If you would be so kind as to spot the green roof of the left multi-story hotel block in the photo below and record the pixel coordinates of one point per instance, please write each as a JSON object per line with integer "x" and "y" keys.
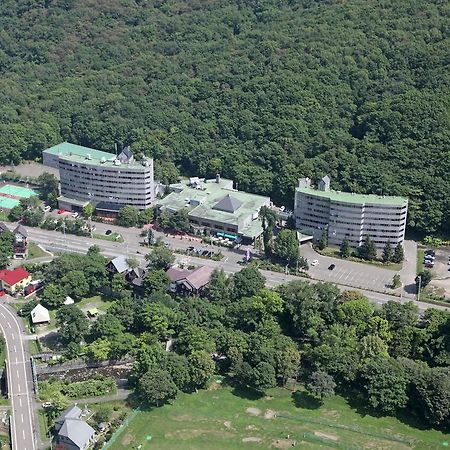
{"x": 78, "y": 153}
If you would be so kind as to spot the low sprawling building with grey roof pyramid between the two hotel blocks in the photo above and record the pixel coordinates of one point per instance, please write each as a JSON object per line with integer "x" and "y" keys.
{"x": 214, "y": 204}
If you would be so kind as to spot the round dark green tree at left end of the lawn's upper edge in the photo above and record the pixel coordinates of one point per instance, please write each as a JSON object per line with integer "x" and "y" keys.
{"x": 156, "y": 387}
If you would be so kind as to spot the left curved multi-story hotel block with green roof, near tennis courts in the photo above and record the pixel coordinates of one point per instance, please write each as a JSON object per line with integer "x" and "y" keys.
{"x": 103, "y": 179}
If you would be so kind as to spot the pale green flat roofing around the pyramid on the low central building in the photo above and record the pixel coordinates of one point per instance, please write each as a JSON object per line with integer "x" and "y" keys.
{"x": 246, "y": 204}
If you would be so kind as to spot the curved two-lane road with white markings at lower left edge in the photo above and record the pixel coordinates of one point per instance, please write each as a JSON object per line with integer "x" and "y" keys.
{"x": 20, "y": 383}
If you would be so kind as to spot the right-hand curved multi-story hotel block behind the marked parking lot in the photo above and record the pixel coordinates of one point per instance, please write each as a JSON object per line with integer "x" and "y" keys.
{"x": 344, "y": 215}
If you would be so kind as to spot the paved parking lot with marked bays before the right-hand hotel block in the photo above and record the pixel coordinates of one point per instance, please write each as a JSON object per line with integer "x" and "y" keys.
{"x": 349, "y": 273}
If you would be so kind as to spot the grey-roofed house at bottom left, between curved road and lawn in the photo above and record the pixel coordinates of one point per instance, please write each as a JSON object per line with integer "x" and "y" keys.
{"x": 72, "y": 433}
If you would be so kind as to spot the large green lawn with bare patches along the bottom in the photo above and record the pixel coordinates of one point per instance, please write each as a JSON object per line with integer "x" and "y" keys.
{"x": 227, "y": 419}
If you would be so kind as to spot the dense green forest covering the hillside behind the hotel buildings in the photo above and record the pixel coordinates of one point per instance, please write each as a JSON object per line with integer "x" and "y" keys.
{"x": 263, "y": 91}
